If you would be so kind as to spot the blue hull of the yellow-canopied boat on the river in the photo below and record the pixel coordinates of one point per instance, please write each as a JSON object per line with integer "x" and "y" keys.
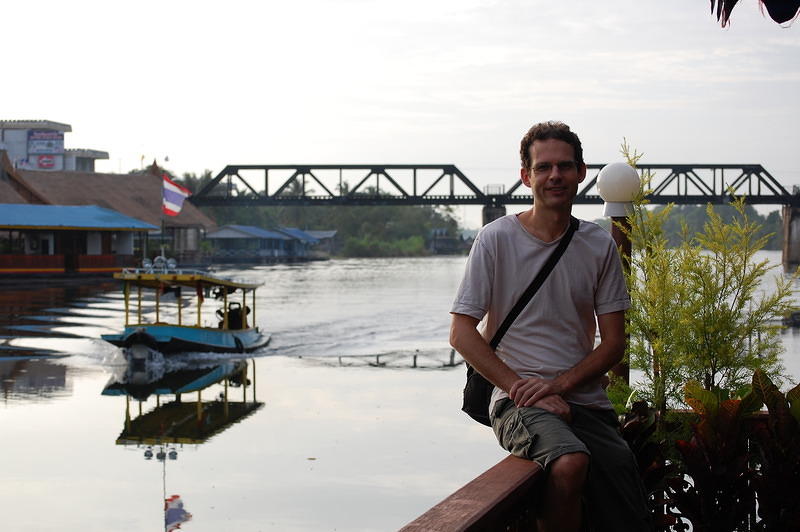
{"x": 170, "y": 339}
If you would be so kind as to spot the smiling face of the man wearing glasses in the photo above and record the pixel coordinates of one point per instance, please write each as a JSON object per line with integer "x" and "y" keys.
{"x": 554, "y": 175}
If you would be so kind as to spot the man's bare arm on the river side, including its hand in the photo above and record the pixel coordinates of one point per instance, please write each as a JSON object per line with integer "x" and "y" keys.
{"x": 465, "y": 338}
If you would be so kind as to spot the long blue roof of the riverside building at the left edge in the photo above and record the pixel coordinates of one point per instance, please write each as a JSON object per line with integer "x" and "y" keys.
{"x": 67, "y": 216}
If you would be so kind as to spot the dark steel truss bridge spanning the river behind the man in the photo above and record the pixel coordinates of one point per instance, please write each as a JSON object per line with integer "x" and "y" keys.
{"x": 445, "y": 184}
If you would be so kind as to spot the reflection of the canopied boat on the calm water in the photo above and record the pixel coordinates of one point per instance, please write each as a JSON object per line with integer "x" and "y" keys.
{"x": 182, "y": 421}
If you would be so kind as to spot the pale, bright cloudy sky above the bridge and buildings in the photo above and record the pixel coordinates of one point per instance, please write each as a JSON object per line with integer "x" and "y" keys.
{"x": 206, "y": 84}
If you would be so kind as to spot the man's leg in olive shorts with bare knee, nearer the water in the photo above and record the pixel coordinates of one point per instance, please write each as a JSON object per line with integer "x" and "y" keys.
{"x": 541, "y": 436}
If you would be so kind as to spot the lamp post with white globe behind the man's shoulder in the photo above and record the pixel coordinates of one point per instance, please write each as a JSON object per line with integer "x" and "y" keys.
{"x": 618, "y": 183}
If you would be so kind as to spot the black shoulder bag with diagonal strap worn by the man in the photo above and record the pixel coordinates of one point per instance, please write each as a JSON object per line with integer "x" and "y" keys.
{"x": 478, "y": 390}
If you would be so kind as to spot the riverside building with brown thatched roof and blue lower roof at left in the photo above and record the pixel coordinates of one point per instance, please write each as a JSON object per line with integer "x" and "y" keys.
{"x": 136, "y": 196}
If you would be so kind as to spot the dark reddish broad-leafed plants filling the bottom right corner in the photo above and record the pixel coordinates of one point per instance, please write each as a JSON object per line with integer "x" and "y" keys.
{"x": 740, "y": 470}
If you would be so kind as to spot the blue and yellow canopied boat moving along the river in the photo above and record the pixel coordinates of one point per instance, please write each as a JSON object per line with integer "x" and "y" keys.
{"x": 235, "y": 331}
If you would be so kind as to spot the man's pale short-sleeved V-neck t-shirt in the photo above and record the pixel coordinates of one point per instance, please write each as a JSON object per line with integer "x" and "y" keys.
{"x": 557, "y": 328}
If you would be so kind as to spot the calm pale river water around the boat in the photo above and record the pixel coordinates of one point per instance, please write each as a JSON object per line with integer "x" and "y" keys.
{"x": 349, "y": 420}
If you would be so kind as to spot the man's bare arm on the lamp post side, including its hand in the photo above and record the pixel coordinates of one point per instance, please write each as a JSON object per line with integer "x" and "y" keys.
{"x": 606, "y": 355}
